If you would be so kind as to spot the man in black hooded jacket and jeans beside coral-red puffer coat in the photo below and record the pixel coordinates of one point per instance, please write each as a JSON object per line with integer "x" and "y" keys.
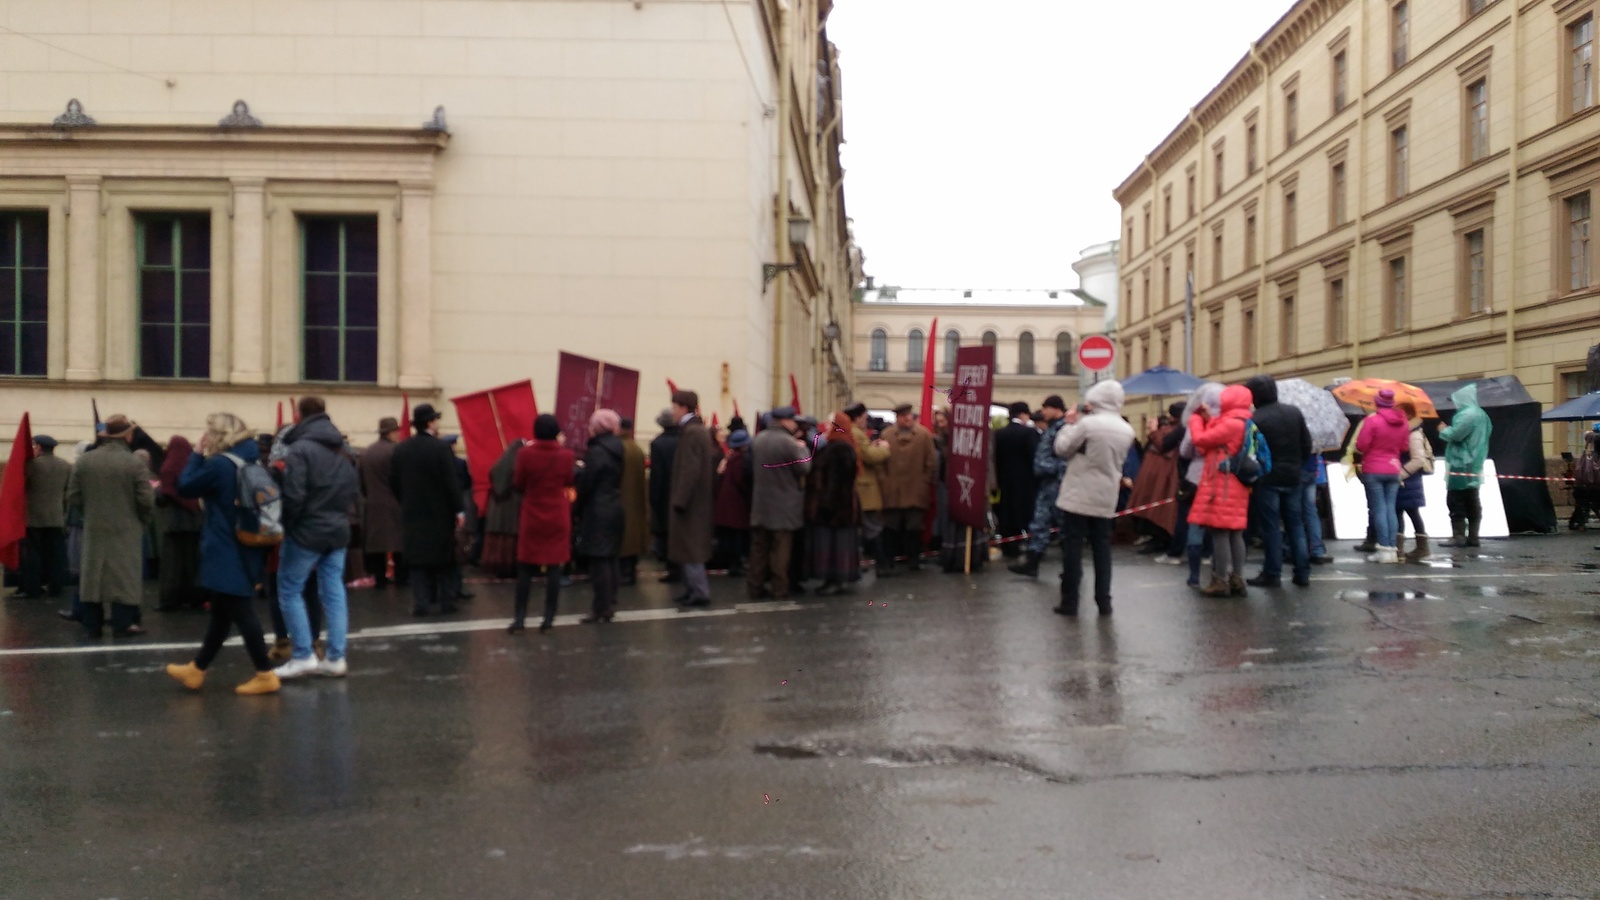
{"x": 1278, "y": 496}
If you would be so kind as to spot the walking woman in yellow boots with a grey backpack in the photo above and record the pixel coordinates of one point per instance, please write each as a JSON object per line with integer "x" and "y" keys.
{"x": 230, "y": 569}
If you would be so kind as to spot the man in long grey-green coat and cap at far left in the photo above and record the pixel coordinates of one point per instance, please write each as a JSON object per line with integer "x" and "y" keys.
{"x": 111, "y": 488}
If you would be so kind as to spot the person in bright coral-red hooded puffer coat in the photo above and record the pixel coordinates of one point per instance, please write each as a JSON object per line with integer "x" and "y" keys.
{"x": 1223, "y": 502}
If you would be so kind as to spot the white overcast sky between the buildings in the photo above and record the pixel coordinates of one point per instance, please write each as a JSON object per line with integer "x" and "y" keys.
{"x": 983, "y": 140}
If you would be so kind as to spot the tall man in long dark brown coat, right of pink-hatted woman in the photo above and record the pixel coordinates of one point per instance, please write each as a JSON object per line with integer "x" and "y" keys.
{"x": 690, "y": 515}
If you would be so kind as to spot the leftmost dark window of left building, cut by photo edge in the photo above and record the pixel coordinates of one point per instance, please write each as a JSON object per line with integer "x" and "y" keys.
{"x": 25, "y": 294}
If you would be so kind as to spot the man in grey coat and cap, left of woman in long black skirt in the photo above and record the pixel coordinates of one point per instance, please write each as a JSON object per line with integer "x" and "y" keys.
{"x": 780, "y": 462}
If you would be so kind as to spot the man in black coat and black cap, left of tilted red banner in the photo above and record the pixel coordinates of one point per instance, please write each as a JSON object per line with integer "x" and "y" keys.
{"x": 423, "y": 478}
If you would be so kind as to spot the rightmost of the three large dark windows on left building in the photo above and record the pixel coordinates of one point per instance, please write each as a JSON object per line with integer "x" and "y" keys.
{"x": 340, "y": 292}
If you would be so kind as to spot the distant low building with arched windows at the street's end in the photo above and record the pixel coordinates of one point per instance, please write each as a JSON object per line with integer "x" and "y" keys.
{"x": 1036, "y": 337}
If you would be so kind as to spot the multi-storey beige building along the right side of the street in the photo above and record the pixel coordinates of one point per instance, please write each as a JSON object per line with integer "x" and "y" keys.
{"x": 1382, "y": 188}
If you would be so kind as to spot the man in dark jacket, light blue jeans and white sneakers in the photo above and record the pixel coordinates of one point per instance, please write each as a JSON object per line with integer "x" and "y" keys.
{"x": 319, "y": 491}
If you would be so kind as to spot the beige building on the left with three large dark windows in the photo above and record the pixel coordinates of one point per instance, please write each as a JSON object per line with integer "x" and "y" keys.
{"x": 646, "y": 182}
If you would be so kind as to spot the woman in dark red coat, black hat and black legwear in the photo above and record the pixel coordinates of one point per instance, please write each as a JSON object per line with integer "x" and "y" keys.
{"x": 545, "y": 536}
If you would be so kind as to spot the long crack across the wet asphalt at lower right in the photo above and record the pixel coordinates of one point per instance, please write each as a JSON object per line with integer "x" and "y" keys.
{"x": 951, "y": 755}
